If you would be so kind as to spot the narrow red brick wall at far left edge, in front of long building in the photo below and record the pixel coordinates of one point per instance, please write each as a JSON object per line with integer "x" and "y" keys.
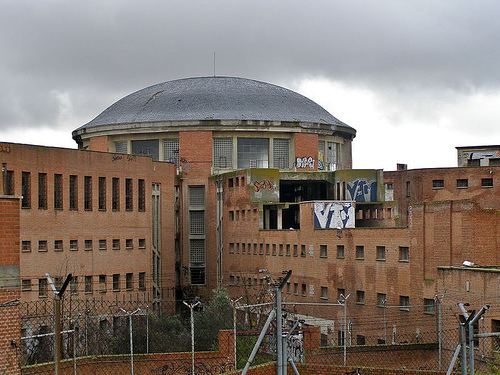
{"x": 10, "y": 323}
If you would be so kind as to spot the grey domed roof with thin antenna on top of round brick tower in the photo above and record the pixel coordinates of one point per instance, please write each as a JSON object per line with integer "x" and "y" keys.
{"x": 214, "y": 98}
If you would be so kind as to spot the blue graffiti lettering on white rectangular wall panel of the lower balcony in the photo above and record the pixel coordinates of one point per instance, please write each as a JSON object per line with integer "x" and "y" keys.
{"x": 333, "y": 215}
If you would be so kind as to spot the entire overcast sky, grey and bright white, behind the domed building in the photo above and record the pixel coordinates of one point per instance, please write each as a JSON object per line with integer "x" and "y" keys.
{"x": 415, "y": 78}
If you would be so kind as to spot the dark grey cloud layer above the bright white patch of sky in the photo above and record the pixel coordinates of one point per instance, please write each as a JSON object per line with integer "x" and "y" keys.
{"x": 96, "y": 51}
